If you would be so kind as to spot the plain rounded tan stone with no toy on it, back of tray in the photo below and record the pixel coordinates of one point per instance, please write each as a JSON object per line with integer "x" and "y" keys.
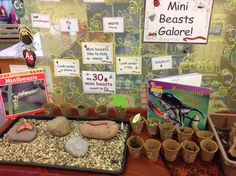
{"x": 59, "y": 126}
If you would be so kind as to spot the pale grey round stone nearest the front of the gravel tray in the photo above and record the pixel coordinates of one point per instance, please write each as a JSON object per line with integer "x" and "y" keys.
{"x": 77, "y": 147}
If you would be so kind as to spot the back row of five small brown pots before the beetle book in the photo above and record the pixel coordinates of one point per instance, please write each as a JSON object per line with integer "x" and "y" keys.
{"x": 167, "y": 130}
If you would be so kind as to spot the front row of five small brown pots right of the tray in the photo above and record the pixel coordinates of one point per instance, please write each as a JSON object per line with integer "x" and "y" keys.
{"x": 171, "y": 149}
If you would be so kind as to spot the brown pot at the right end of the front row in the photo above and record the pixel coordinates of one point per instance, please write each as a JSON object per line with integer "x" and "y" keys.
{"x": 208, "y": 149}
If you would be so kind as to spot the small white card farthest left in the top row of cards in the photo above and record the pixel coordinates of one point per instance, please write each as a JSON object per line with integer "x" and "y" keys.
{"x": 40, "y": 20}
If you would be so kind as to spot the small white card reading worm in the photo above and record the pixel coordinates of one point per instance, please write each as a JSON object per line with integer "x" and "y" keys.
{"x": 113, "y": 24}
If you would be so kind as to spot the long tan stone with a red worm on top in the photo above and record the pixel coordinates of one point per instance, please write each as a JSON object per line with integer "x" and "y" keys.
{"x": 100, "y": 129}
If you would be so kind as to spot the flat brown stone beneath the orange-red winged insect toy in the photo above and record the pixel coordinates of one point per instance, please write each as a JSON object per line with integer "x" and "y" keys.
{"x": 23, "y": 136}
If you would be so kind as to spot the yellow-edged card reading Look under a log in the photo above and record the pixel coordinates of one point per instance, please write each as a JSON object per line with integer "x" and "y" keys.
{"x": 129, "y": 65}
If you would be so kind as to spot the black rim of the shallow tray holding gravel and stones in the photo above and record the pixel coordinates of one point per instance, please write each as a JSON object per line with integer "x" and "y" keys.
{"x": 69, "y": 167}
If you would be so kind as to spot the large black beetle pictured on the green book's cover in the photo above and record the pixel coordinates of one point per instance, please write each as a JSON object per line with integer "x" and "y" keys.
{"x": 173, "y": 110}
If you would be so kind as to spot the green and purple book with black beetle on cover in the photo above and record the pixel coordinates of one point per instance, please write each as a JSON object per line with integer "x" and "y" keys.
{"x": 180, "y": 104}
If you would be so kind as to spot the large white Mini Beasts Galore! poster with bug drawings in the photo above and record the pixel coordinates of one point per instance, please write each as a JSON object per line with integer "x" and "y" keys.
{"x": 182, "y": 21}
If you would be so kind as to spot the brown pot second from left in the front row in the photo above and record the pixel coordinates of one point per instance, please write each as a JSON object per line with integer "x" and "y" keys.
{"x": 152, "y": 149}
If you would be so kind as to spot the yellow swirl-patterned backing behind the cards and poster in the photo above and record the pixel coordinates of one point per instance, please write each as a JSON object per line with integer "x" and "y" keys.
{"x": 205, "y": 59}
